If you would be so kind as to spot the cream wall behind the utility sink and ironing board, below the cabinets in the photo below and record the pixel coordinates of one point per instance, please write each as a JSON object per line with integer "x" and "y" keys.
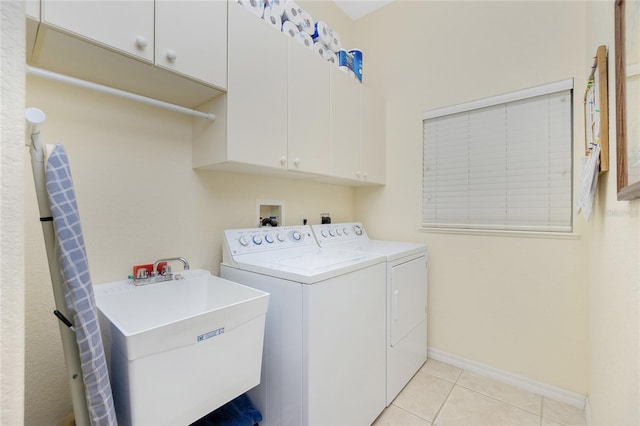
{"x": 139, "y": 200}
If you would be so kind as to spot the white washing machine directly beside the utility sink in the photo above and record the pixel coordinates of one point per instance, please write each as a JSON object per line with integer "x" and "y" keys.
{"x": 325, "y": 341}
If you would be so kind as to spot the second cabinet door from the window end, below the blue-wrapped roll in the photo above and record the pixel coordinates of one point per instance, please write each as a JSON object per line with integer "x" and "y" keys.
{"x": 345, "y": 126}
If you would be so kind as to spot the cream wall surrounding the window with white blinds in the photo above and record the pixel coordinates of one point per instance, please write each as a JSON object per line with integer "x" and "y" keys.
{"x": 514, "y": 303}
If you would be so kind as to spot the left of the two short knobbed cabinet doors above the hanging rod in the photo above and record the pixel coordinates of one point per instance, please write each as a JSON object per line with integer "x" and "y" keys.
{"x": 123, "y": 25}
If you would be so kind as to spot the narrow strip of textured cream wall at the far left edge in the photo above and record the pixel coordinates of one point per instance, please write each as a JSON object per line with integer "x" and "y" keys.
{"x": 12, "y": 287}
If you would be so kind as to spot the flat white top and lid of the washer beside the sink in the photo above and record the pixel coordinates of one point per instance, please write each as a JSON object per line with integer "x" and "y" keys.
{"x": 304, "y": 266}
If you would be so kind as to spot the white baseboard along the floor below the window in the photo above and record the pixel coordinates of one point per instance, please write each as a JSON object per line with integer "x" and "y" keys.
{"x": 546, "y": 390}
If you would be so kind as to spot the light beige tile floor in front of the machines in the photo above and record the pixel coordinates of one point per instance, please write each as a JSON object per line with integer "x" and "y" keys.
{"x": 443, "y": 395}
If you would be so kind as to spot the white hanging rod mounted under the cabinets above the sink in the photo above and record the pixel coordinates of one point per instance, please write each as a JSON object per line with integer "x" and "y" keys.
{"x": 117, "y": 92}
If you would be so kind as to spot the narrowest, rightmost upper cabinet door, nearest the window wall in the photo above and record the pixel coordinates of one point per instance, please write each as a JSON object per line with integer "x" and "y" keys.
{"x": 373, "y": 136}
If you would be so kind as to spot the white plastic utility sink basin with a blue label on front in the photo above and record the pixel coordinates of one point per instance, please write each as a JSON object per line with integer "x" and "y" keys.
{"x": 179, "y": 349}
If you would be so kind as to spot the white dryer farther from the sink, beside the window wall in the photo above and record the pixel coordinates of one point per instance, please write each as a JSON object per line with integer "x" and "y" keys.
{"x": 406, "y": 278}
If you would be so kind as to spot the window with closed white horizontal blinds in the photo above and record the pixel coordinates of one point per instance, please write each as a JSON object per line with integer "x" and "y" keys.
{"x": 501, "y": 163}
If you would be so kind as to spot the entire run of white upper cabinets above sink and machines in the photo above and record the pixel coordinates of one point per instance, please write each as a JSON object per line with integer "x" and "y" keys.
{"x": 286, "y": 111}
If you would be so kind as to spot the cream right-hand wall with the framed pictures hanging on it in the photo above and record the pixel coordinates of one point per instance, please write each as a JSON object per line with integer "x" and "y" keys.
{"x": 614, "y": 271}
